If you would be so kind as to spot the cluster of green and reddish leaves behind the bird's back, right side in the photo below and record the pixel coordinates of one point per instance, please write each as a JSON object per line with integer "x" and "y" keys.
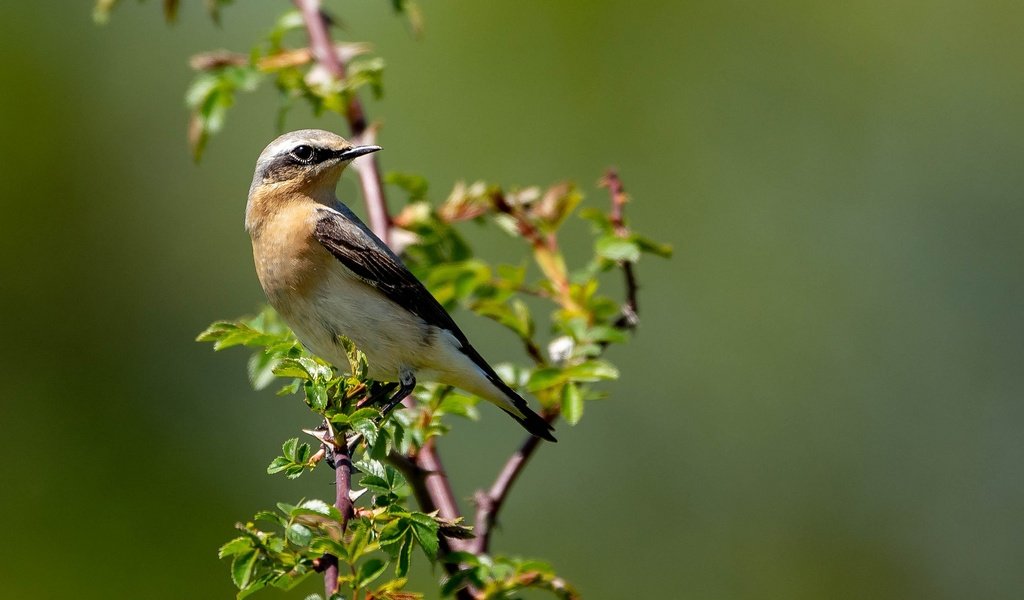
{"x": 583, "y": 321}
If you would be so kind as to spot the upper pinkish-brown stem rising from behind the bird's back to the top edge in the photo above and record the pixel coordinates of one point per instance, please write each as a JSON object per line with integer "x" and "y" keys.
{"x": 369, "y": 170}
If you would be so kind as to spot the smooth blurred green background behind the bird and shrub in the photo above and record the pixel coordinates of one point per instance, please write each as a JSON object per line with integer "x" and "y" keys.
{"x": 825, "y": 397}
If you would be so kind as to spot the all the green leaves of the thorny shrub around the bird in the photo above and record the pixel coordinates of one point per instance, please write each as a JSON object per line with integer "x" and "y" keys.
{"x": 373, "y": 542}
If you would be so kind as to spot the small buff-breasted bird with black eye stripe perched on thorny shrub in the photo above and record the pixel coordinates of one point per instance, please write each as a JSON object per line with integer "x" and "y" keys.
{"x": 328, "y": 276}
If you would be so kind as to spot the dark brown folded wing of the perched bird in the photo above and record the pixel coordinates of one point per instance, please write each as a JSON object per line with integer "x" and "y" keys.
{"x": 366, "y": 256}
